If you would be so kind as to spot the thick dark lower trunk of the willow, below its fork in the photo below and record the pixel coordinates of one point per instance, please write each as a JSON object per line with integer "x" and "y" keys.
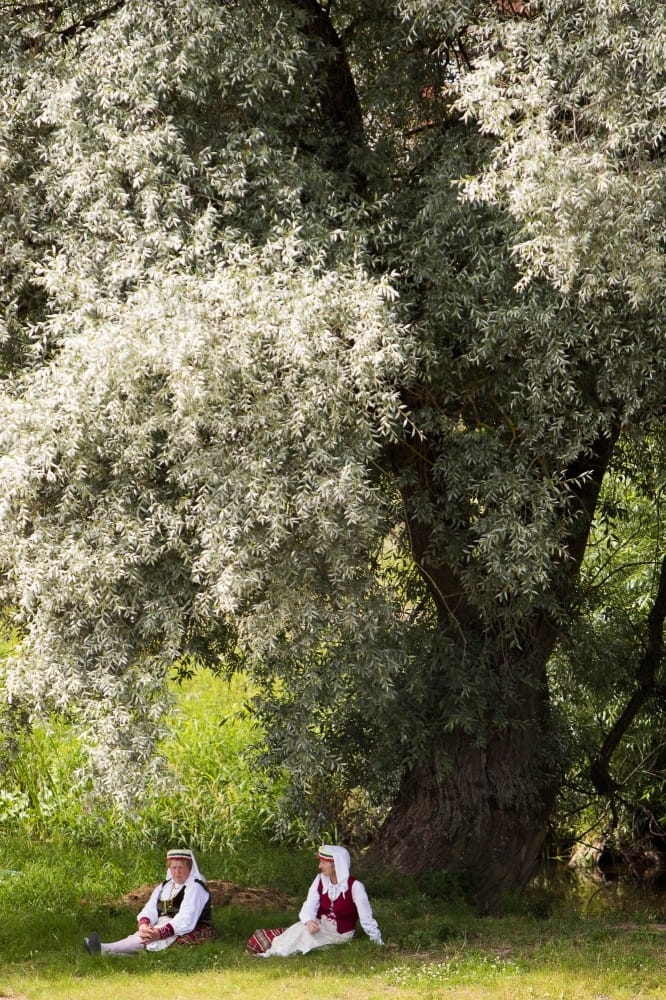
{"x": 478, "y": 805}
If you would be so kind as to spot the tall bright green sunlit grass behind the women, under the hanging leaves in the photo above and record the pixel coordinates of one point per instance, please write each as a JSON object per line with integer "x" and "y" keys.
{"x": 215, "y": 794}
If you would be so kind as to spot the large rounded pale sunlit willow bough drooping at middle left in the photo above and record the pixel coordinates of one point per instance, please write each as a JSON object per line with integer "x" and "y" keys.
{"x": 204, "y": 452}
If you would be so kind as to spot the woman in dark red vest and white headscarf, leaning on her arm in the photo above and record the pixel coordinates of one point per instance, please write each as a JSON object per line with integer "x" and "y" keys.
{"x": 335, "y": 902}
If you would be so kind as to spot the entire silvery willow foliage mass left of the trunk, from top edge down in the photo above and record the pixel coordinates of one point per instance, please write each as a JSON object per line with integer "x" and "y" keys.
{"x": 213, "y": 375}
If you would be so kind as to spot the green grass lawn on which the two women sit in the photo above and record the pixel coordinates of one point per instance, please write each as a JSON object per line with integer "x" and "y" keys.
{"x": 435, "y": 947}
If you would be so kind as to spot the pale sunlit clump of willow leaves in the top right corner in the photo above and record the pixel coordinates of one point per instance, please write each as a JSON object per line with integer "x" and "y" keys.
{"x": 575, "y": 95}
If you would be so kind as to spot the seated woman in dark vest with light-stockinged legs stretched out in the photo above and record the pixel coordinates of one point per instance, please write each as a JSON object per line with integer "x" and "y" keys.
{"x": 178, "y": 912}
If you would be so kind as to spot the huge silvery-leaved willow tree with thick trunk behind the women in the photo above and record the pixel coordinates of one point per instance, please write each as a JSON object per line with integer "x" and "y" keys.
{"x": 320, "y": 325}
